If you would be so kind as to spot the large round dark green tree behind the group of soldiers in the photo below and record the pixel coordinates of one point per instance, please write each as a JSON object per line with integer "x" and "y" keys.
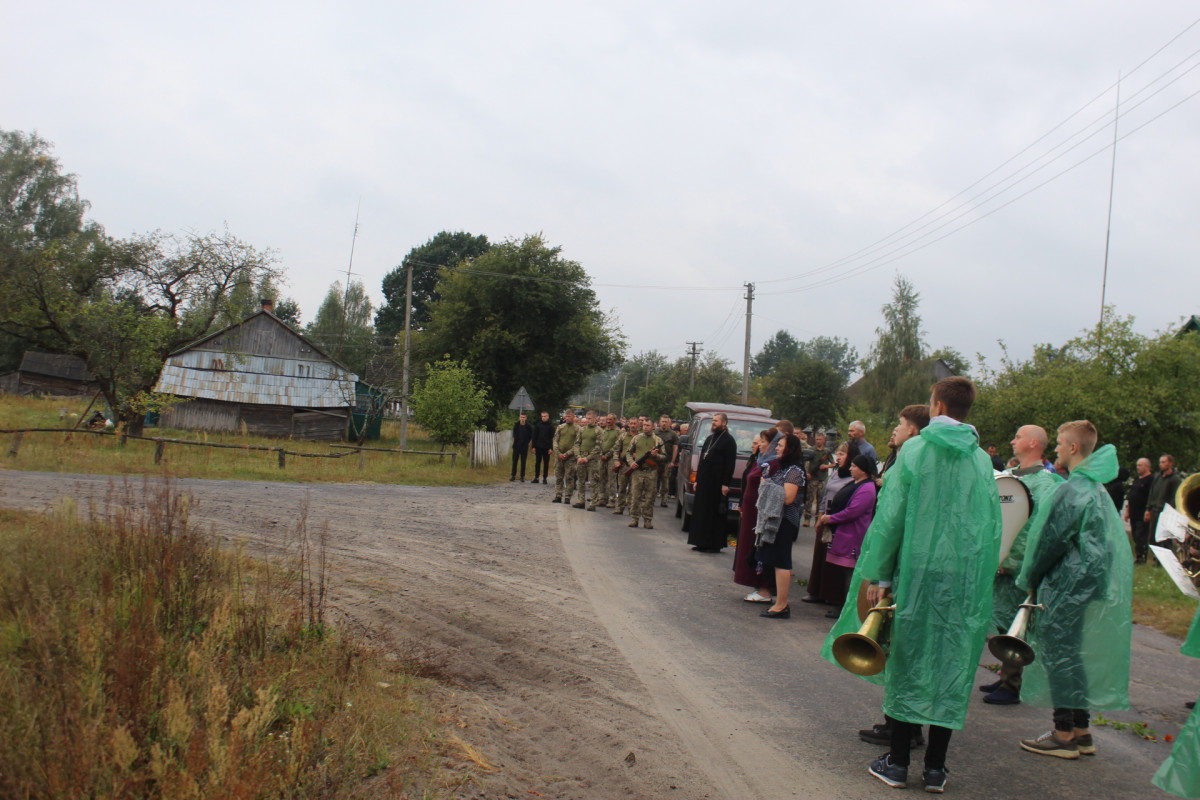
{"x": 523, "y": 316}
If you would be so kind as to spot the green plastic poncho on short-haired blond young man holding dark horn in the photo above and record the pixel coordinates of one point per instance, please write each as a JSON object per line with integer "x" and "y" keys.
{"x": 1082, "y": 567}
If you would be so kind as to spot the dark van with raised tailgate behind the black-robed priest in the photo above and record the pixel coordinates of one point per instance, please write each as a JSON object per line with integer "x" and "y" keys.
{"x": 746, "y": 423}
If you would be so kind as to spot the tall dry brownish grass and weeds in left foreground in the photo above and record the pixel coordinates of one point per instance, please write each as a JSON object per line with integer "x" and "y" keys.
{"x": 139, "y": 660}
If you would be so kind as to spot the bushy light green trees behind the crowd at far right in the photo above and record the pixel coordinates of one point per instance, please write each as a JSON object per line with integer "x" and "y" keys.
{"x": 1139, "y": 392}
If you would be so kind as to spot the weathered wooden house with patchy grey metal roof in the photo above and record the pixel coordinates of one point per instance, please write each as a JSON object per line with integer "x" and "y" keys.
{"x": 261, "y": 375}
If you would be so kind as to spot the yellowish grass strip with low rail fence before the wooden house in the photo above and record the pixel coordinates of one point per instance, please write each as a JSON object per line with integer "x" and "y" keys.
{"x": 85, "y": 453}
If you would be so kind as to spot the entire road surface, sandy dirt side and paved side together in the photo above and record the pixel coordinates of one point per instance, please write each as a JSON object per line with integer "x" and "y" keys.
{"x": 598, "y": 661}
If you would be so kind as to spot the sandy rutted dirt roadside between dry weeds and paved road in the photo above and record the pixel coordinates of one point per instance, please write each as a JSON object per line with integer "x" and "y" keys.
{"x": 478, "y": 581}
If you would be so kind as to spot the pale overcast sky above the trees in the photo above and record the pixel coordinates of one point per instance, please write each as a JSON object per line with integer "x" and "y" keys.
{"x": 695, "y": 146}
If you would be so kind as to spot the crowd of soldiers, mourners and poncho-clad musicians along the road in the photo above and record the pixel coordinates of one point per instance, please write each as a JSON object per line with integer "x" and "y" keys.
{"x": 920, "y": 537}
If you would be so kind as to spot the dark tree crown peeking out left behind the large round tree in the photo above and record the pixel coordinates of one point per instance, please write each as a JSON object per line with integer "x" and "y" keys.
{"x": 445, "y": 250}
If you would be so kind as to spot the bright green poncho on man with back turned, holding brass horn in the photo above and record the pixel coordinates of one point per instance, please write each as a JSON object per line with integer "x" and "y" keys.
{"x": 937, "y": 538}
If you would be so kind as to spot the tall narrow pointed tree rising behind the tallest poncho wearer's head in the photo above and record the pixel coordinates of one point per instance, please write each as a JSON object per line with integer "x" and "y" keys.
{"x": 895, "y": 374}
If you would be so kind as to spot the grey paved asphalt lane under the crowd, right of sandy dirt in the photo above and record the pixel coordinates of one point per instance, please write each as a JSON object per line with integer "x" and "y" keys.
{"x": 753, "y": 699}
